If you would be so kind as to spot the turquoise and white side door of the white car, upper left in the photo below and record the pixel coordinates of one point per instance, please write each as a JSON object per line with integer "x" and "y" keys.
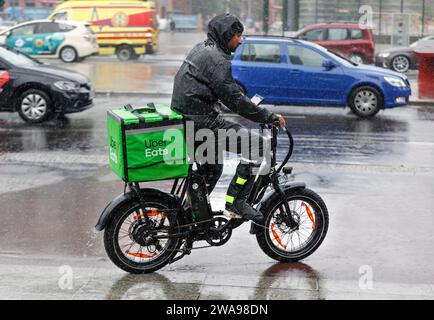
{"x": 48, "y": 37}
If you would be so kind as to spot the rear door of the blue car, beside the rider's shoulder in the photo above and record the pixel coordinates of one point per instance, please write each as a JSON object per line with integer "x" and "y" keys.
{"x": 258, "y": 67}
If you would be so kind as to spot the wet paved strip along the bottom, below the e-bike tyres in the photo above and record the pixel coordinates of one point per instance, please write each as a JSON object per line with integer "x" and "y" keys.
{"x": 70, "y": 280}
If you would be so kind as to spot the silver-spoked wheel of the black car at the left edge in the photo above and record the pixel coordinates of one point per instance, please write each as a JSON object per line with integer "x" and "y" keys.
{"x": 34, "y": 106}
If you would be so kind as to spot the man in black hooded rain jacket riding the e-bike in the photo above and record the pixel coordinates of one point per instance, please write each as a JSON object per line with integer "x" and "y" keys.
{"x": 203, "y": 82}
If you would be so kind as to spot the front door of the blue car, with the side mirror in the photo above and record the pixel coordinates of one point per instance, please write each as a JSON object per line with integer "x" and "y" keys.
{"x": 308, "y": 82}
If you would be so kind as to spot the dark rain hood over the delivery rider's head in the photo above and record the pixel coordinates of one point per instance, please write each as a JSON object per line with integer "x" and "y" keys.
{"x": 222, "y": 28}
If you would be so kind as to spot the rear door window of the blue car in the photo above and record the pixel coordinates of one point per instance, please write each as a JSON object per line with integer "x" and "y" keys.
{"x": 262, "y": 52}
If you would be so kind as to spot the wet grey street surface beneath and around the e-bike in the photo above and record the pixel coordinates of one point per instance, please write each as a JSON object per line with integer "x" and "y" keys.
{"x": 376, "y": 177}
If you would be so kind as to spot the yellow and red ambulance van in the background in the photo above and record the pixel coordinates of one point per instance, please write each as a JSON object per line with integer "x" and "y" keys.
{"x": 125, "y": 28}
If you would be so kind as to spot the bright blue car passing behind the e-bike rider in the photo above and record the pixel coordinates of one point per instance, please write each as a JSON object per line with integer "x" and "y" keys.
{"x": 296, "y": 72}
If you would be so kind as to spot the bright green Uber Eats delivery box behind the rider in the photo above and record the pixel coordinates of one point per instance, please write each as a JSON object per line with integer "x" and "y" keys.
{"x": 147, "y": 144}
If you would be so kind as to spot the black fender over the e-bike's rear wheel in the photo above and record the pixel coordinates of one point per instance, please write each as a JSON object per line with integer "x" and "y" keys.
{"x": 123, "y": 198}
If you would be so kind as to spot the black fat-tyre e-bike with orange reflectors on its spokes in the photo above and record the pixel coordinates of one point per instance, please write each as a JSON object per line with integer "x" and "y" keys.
{"x": 145, "y": 228}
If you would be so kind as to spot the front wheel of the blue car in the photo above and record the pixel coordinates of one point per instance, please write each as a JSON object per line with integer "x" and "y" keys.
{"x": 366, "y": 101}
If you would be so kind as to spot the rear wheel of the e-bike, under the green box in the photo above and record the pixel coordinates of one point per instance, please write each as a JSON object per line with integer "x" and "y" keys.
{"x": 129, "y": 241}
